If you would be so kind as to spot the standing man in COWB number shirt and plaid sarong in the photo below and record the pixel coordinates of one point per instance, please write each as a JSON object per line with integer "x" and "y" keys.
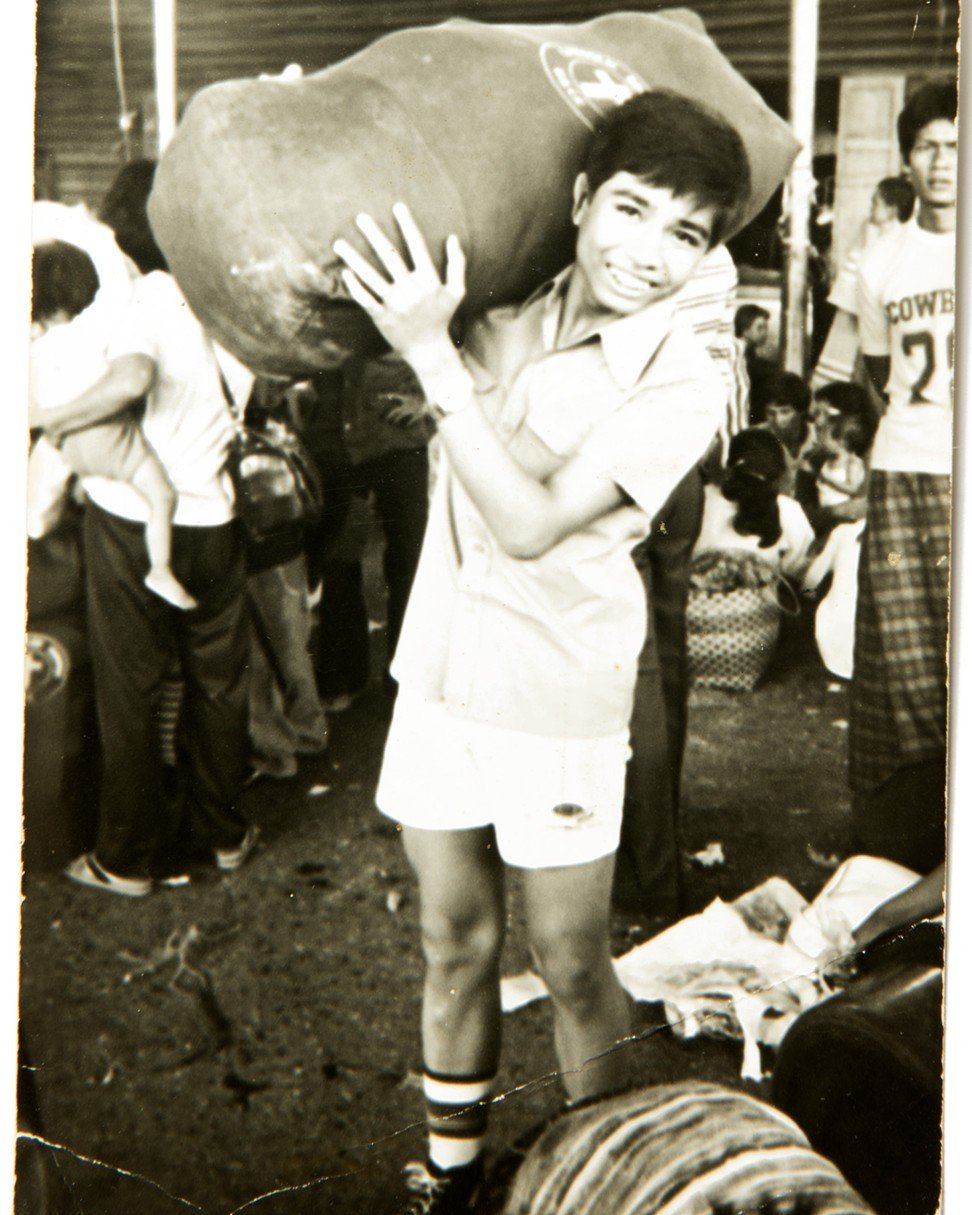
{"x": 907, "y": 317}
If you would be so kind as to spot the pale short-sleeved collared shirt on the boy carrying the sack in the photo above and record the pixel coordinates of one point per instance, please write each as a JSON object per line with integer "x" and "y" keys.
{"x": 550, "y": 646}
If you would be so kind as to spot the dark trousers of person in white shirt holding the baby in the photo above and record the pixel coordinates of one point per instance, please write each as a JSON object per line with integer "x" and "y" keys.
{"x": 133, "y": 636}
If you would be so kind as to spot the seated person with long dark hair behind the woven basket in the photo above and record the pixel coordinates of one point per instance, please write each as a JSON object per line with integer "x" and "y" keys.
{"x": 748, "y": 511}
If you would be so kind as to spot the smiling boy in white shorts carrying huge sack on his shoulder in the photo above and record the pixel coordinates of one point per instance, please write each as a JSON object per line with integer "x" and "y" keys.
{"x": 564, "y": 423}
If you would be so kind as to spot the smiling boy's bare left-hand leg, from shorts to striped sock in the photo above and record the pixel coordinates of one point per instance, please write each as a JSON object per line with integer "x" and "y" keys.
{"x": 461, "y": 891}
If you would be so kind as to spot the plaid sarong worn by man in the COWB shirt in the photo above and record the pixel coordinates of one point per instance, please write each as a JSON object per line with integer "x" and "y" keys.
{"x": 900, "y": 692}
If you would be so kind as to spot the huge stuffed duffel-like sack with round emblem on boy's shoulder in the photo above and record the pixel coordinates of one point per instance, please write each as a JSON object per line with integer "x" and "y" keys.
{"x": 481, "y": 129}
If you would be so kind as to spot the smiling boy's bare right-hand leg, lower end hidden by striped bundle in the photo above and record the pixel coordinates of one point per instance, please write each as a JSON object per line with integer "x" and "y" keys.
{"x": 568, "y": 916}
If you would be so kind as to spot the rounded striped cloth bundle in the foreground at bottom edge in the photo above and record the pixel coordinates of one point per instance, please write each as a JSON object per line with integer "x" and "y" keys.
{"x": 677, "y": 1150}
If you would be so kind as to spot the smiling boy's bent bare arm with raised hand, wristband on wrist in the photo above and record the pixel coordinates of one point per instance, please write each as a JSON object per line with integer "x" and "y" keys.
{"x": 414, "y": 312}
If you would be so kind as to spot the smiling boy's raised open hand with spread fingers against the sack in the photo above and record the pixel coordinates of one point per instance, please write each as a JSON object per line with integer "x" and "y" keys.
{"x": 411, "y": 307}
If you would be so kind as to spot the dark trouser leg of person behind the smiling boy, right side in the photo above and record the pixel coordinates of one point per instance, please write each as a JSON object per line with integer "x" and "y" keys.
{"x": 647, "y": 875}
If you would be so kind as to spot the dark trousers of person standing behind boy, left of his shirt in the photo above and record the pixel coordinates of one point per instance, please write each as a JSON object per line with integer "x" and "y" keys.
{"x": 400, "y": 483}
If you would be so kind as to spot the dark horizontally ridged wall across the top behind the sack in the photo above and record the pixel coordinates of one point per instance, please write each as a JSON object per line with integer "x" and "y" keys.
{"x": 77, "y": 103}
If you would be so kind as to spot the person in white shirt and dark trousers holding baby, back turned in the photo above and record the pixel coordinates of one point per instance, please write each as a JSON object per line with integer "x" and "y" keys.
{"x": 162, "y": 353}
